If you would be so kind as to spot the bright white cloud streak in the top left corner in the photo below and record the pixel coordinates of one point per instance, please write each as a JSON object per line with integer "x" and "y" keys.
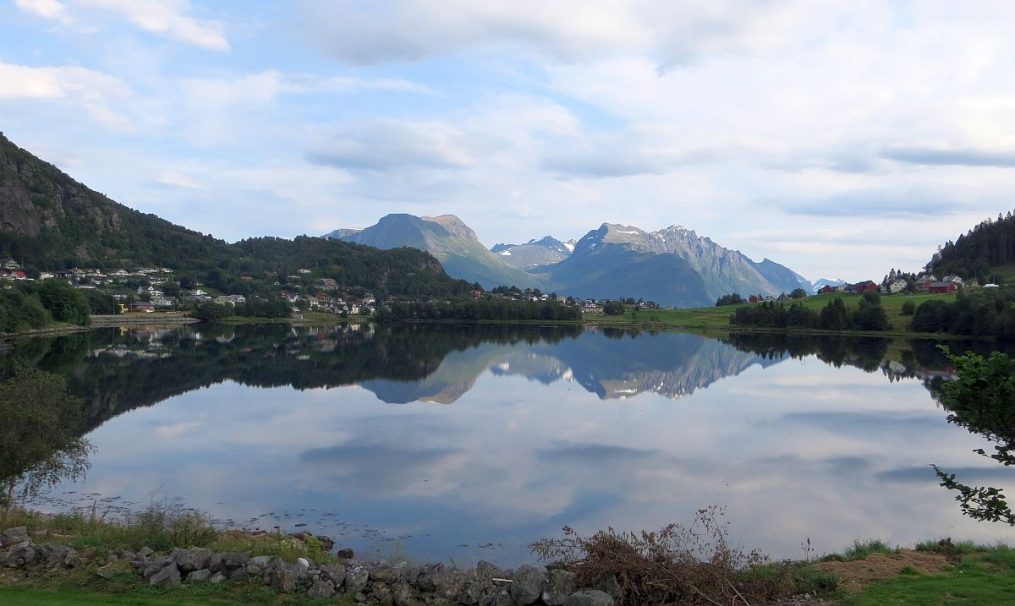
{"x": 165, "y": 18}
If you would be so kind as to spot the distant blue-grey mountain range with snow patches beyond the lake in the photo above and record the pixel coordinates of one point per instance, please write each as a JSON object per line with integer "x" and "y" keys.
{"x": 674, "y": 266}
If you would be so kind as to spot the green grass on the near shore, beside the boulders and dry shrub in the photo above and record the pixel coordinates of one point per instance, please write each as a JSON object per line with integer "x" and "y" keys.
{"x": 868, "y": 573}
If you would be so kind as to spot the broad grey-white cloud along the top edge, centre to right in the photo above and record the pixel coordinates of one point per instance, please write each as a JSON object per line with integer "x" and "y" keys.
{"x": 570, "y": 30}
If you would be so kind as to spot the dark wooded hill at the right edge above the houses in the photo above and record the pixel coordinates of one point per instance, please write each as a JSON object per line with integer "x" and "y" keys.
{"x": 989, "y": 245}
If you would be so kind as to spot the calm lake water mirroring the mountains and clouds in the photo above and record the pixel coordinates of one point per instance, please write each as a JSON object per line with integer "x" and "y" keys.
{"x": 464, "y": 444}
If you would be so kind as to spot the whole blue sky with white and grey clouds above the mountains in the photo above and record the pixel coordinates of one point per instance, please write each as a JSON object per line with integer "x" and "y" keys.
{"x": 841, "y": 140}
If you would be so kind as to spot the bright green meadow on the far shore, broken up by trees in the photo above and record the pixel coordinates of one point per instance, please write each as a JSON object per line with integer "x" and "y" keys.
{"x": 719, "y": 318}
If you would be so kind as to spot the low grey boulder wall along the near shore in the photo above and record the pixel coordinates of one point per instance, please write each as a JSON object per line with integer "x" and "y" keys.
{"x": 382, "y": 584}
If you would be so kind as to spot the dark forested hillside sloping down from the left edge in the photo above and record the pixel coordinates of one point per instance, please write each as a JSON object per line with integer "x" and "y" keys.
{"x": 49, "y": 222}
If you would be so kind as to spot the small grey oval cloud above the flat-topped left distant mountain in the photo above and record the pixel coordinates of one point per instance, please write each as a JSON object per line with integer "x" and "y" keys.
{"x": 383, "y": 146}
